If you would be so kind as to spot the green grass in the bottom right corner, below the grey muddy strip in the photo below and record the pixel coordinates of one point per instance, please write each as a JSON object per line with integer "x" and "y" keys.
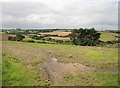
{"x": 106, "y": 78}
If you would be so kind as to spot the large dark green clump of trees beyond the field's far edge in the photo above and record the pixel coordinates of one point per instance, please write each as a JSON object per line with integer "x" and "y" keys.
{"x": 85, "y": 37}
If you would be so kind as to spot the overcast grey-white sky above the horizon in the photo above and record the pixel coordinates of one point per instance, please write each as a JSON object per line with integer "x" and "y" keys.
{"x": 99, "y": 14}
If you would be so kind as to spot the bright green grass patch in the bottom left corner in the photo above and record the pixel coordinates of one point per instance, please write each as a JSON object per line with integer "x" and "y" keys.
{"x": 16, "y": 74}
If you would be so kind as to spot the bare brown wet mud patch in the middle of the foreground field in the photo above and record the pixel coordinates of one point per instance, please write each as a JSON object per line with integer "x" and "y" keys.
{"x": 57, "y": 70}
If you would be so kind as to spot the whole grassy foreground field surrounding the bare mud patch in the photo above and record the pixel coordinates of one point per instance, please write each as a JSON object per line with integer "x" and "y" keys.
{"x": 22, "y": 64}
